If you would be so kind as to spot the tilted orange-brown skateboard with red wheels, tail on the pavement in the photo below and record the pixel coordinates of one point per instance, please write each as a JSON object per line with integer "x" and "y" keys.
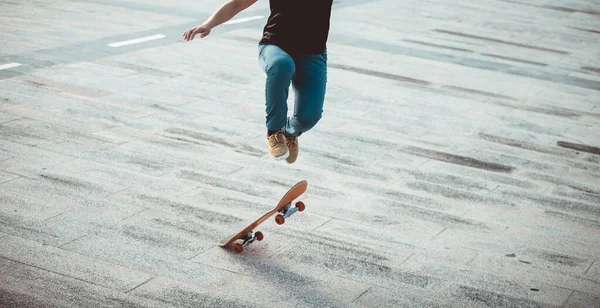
{"x": 283, "y": 210}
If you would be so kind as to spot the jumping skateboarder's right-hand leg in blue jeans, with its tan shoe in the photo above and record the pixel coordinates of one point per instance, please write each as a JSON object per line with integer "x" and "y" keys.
{"x": 309, "y": 85}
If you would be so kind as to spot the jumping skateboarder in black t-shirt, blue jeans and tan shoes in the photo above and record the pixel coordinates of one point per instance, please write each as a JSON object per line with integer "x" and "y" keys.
{"x": 293, "y": 51}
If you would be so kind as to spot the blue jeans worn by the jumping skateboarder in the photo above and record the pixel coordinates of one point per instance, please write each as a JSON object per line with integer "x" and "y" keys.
{"x": 308, "y": 77}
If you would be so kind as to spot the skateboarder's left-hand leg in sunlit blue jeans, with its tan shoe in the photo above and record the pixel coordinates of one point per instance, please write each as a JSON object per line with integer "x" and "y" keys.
{"x": 280, "y": 69}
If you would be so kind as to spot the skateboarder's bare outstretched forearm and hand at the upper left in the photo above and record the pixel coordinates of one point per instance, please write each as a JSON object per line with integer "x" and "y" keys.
{"x": 223, "y": 14}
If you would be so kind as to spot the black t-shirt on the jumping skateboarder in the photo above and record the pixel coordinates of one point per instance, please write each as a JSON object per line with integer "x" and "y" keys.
{"x": 298, "y": 26}
